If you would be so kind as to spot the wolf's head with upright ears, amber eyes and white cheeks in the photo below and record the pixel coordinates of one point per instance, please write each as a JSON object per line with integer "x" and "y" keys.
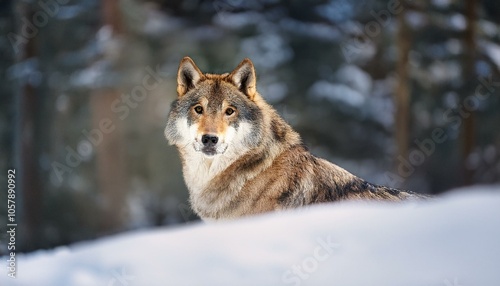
{"x": 215, "y": 113}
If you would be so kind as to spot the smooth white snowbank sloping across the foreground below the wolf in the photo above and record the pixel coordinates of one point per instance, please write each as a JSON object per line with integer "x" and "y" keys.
{"x": 453, "y": 240}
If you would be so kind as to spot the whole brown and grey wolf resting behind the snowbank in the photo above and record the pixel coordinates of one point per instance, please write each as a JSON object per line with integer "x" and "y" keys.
{"x": 240, "y": 157}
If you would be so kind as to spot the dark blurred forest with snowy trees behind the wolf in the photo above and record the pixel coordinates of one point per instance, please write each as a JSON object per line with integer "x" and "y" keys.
{"x": 401, "y": 93}
